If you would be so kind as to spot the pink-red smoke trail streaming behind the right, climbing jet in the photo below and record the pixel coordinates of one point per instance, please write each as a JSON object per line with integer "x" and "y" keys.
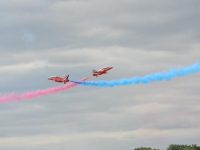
{"x": 32, "y": 94}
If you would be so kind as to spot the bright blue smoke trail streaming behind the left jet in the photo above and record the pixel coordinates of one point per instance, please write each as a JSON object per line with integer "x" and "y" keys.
{"x": 146, "y": 78}
